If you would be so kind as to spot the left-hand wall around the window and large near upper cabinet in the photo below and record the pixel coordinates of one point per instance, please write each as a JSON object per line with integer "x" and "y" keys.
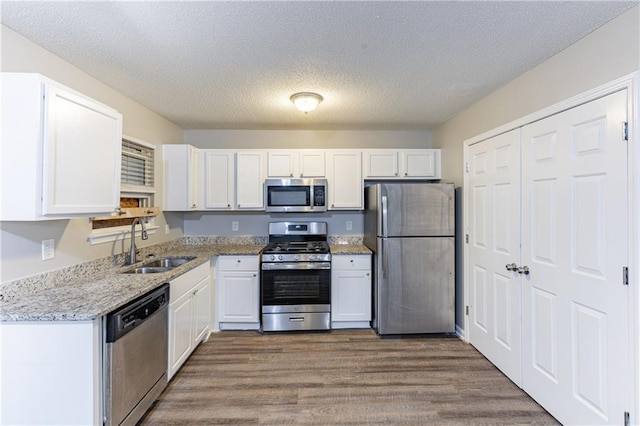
{"x": 20, "y": 252}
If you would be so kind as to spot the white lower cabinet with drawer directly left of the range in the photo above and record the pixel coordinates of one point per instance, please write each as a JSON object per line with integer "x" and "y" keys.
{"x": 238, "y": 292}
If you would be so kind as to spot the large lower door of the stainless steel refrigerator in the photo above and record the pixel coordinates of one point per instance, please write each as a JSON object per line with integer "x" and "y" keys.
{"x": 414, "y": 286}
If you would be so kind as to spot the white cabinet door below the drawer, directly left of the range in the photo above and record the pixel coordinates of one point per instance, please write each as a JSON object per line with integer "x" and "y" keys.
{"x": 239, "y": 296}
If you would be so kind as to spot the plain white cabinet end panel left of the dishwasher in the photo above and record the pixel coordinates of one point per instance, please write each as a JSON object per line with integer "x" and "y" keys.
{"x": 51, "y": 373}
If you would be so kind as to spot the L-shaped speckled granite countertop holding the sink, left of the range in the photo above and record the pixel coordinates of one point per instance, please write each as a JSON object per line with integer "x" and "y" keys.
{"x": 85, "y": 297}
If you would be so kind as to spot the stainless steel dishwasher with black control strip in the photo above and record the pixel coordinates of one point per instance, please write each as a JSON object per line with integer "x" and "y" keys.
{"x": 136, "y": 351}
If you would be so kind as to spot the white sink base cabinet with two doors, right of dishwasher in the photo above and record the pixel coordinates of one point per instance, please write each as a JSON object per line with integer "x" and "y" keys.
{"x": 189, "y": 314}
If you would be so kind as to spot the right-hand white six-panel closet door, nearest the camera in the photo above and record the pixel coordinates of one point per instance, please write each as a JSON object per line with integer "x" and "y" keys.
{"x": 575, "y": 238}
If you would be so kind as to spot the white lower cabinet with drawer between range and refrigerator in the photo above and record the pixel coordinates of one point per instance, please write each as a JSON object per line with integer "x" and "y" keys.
{"x": 351, "y": 290}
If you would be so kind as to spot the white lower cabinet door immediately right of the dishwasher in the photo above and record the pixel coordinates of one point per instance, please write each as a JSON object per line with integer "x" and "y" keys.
{"x": 180, "y": 332}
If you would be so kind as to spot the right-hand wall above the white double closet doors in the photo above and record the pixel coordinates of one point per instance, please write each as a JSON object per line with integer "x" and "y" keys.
{"x": 609, "y": 52}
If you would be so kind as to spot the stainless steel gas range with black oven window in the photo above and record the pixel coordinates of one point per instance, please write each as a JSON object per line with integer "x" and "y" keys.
{"x": 296, "y": 277}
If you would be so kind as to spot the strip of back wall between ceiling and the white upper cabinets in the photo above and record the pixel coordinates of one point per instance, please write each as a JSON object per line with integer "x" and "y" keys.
{"x": 304, "y": 139}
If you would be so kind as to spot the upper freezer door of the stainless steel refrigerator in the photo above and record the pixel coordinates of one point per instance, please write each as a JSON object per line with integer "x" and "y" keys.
{"x": 416, "y": 210}
